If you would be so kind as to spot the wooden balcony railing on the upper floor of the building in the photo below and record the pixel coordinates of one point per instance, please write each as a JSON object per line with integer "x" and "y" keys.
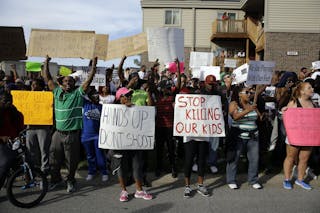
{"x": 229, "y": 26}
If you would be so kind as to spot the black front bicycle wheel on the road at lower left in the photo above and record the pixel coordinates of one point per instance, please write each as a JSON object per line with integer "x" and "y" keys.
{"x": 24, "y": 192}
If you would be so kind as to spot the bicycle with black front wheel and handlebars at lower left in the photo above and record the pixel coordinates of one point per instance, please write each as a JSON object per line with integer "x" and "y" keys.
{"x": 26, "y": 186}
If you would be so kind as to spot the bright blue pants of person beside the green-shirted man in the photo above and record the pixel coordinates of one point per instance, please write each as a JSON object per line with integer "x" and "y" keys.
{"x": 95, "y": 157}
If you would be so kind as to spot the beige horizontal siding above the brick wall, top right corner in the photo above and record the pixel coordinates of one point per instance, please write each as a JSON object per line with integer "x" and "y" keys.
{"x": 292, "y": 16}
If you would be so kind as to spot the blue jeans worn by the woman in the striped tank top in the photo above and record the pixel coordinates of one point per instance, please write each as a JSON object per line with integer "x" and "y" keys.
{"x": 252, "y": 148}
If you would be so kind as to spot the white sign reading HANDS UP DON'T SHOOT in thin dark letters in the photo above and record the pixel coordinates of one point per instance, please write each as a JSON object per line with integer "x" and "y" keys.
{"x": 127, "y": 128}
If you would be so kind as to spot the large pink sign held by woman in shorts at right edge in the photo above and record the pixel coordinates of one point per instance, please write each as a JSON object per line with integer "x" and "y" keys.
{"x": 302, "y": 126}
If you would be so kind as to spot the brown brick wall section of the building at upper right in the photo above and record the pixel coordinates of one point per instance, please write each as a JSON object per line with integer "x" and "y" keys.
{"x": 278, "y": 44}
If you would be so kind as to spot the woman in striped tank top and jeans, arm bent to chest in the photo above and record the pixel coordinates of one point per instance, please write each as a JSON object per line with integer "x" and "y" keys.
{"x": 243, "y": 135}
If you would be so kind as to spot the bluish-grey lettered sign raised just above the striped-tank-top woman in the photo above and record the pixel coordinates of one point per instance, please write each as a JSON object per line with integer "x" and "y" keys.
{"x": 260, "y": 72}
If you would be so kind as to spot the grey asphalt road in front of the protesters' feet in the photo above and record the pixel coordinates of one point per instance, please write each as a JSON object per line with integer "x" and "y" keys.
{"x": 95, "y": 196}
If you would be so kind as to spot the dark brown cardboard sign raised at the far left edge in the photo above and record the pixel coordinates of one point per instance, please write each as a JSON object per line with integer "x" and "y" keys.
{"x": 12, "y": 44}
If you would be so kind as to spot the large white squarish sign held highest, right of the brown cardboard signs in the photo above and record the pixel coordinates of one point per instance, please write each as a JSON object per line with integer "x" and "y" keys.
{"x": 165, "y": 44}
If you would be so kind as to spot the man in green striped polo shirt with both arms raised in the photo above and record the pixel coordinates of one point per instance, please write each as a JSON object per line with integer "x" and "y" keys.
{"x": 65, "y": 144}
